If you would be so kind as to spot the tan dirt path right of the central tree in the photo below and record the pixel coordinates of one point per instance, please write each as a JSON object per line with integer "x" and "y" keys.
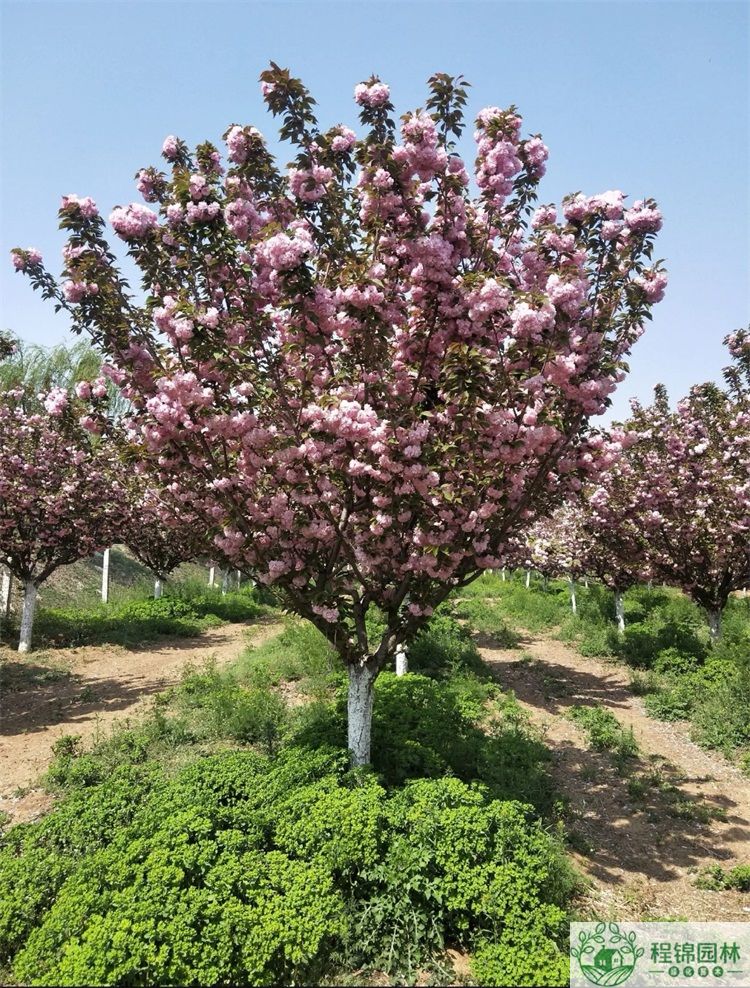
{"x": 643, "y": 831}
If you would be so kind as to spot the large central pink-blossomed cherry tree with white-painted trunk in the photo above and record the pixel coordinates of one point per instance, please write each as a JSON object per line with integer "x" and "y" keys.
{"x": 366, "y": 379}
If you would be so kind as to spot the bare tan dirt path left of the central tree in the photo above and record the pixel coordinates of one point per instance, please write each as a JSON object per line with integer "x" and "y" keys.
{"x": 83, "y": 690}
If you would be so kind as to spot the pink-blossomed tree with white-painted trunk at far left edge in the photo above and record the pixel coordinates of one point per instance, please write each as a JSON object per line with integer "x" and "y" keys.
{"x": 60, "y": 496}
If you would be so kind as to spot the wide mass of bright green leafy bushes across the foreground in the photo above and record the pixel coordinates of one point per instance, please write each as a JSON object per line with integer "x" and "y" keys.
{"x": 295, "y": 864}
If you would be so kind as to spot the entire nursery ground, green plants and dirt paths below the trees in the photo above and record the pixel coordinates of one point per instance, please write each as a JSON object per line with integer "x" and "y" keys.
{"x": 532, "y": 767}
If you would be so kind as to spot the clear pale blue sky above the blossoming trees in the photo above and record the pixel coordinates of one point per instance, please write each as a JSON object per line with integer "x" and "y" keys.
{"x": 649, "y": 97}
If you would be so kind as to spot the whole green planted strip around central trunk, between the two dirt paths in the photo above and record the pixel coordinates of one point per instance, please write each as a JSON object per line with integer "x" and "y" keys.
{"x": 226, "y": 807}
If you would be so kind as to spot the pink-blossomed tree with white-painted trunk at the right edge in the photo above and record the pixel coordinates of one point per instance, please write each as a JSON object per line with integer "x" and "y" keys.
{"x": 690, "y": 491}
